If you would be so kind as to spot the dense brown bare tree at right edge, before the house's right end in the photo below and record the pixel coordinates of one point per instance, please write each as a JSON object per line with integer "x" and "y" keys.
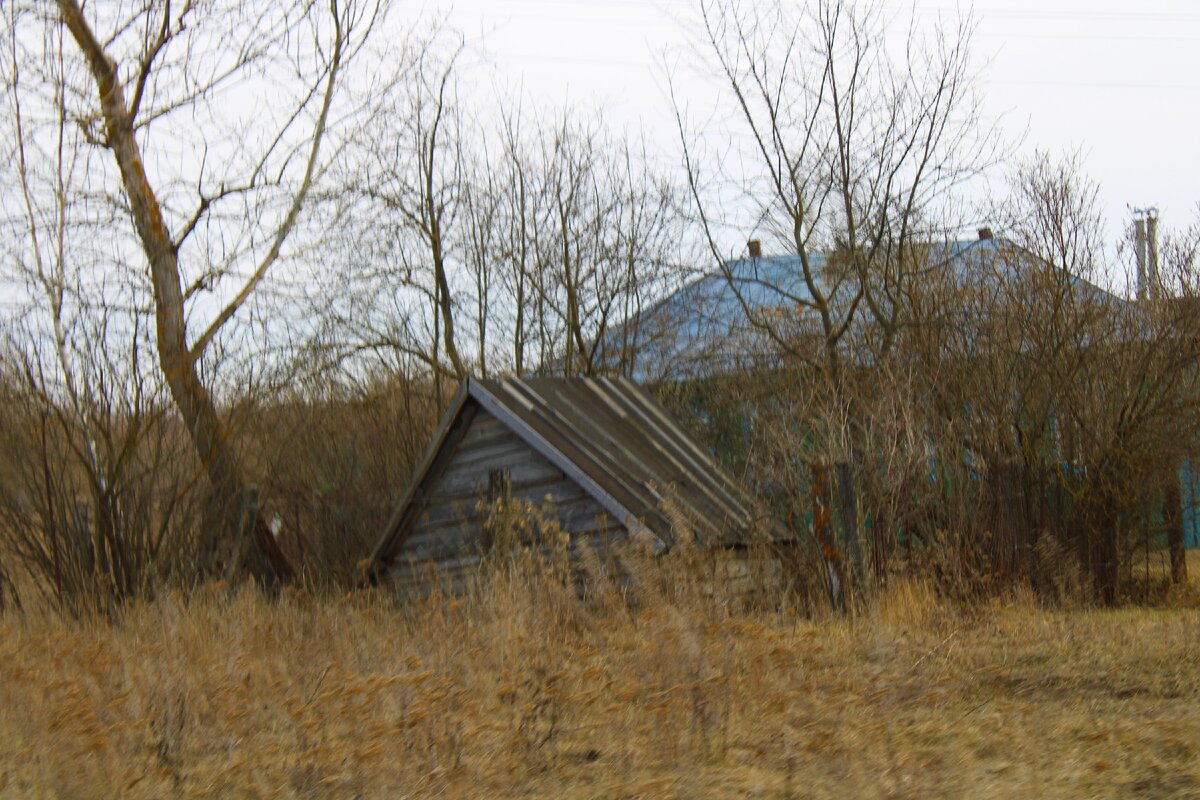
{"x": 1059, "y": 411}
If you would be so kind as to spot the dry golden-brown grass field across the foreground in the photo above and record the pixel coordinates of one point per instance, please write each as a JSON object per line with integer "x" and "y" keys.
{"x": 520, "y": 693}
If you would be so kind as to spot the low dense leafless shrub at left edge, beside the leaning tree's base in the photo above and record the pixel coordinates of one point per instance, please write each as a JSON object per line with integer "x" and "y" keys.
{"x": 101, "y": 506}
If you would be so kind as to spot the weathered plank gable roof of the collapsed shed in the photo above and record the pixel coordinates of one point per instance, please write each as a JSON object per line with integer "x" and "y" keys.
{"x": 607, "y": 435}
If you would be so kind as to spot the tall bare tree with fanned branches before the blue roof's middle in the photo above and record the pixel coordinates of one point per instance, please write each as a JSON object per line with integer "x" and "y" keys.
{"x": 850, "y": 149}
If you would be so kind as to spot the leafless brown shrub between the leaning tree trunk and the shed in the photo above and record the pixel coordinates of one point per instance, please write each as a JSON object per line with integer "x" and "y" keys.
{"x": 332, "y": 458}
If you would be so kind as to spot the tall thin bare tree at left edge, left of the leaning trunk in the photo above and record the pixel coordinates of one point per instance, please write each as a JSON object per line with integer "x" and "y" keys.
{"x": 91, "y": 510}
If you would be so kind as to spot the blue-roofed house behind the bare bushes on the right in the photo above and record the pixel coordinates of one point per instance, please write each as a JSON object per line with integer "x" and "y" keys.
{"x": 1007, "y": 398}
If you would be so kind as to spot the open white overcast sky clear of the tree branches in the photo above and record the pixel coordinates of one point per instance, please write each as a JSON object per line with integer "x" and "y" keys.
{"x": 1117, "y": 80}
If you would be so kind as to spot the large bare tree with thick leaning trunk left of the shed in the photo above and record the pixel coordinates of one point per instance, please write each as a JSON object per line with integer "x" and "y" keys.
{"x": 153, "y": 67}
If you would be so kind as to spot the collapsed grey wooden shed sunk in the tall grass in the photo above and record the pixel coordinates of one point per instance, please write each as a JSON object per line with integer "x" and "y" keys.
{"x": 601, "y": 456}
